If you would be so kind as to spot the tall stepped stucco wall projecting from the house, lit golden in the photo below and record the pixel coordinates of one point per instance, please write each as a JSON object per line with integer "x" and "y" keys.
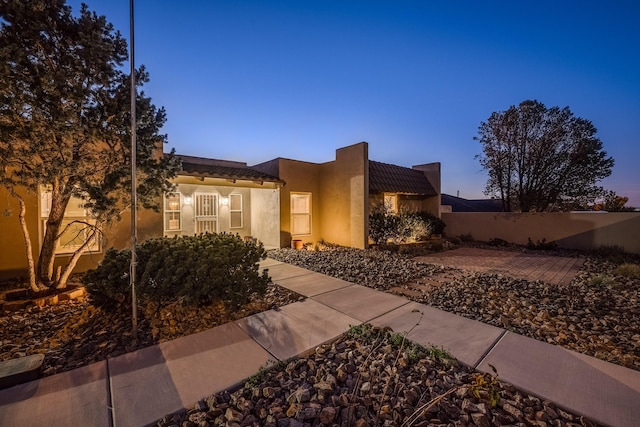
{"x": 345, "y": 194}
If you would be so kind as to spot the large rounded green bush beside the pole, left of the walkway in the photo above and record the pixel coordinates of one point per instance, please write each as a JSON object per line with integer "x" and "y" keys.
{"x": 192, "y": 269}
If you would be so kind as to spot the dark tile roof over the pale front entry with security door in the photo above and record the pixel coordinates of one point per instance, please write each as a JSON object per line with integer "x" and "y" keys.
{"x": 213, "y": 168}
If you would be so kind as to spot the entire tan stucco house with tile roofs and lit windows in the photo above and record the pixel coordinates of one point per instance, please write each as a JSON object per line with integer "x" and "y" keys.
{"x": 274, "y": 202}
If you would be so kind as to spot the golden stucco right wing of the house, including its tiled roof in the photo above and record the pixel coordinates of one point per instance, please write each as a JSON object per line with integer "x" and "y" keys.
{"x": 331, "y": 201}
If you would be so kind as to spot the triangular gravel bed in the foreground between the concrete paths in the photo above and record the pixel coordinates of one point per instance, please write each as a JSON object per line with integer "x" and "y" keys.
{"x": 372, "y": 379}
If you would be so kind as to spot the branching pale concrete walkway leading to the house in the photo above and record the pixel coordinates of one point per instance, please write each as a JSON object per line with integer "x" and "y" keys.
{"x": 138, "y": 388}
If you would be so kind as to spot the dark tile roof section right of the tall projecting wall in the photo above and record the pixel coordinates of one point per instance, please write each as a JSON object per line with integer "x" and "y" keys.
{"x": 386, "y": 178}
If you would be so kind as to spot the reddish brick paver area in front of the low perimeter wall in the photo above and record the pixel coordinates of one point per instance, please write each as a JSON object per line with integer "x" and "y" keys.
{"x": 549, "y": 269}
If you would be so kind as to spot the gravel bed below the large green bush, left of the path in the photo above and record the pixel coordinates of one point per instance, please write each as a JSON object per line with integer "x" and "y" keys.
{"x": 75, "y": 333}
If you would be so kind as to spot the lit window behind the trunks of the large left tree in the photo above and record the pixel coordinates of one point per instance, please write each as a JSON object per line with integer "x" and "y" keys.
{"x": 77, "y": 225}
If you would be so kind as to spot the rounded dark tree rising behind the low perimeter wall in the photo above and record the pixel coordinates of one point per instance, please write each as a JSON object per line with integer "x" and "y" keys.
{"x": 538, "y": 158}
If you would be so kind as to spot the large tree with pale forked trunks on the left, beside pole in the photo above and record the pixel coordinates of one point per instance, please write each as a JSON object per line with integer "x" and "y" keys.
{"x": 65, "y": 123}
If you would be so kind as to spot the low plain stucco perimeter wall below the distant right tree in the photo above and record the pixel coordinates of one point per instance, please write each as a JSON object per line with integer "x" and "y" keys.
{"x": 581, "y": 230}
